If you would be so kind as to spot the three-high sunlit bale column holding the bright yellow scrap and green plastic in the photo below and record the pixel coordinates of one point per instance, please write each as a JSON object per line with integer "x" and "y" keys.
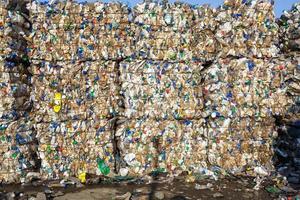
{"x": 75, "y": 49}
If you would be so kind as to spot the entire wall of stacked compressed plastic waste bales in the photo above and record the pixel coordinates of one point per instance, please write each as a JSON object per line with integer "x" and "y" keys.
{"x": 176, "y": 88}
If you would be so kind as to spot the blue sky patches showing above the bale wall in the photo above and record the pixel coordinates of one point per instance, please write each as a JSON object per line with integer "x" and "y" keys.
{"x": 280, "y": 5}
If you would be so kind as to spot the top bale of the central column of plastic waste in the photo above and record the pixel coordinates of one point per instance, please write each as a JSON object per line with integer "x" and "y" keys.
{"x": 162, "y": 31}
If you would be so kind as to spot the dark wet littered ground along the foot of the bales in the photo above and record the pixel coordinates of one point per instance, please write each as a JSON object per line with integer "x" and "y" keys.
{"x": 162, "y": 188}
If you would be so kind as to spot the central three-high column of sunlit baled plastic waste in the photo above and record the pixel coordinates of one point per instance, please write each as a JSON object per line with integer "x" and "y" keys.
{"x": 162, "y": 127}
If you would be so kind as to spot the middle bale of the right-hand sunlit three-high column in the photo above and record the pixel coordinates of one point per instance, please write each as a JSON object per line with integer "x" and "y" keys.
{"x": 246, "y": 86}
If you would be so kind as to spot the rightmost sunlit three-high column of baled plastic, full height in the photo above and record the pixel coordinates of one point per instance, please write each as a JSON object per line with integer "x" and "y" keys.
{"x": 240, "y": 94}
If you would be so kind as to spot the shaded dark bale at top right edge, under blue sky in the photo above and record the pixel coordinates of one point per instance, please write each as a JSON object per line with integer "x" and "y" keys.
{"x": 289, "y": 24}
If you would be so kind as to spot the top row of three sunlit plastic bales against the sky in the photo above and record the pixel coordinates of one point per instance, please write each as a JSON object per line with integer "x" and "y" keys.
{"x": 160, "y": 31}
